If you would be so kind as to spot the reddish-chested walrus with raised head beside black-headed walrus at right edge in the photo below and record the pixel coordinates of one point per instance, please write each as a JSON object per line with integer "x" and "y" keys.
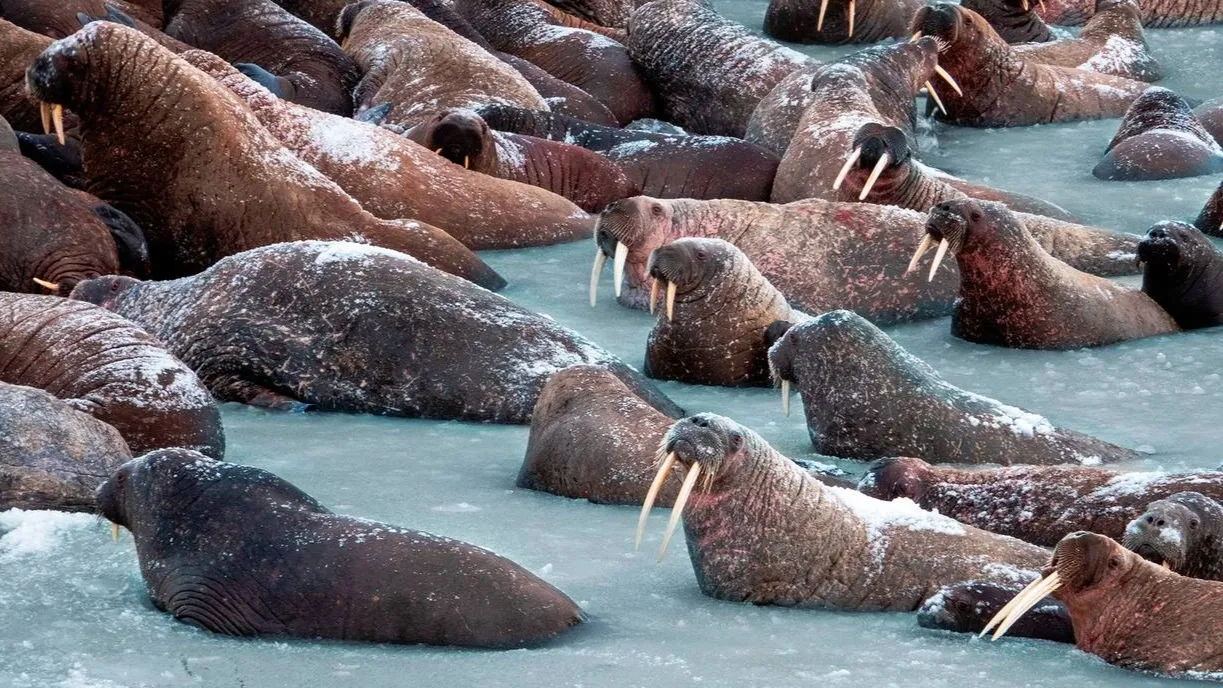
{"x": 1014, "y": 294}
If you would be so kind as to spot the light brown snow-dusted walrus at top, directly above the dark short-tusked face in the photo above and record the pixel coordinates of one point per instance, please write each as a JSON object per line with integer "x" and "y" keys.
{"x": 419, "y": 67}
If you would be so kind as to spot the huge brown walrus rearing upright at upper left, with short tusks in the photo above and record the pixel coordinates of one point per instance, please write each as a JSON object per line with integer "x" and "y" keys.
{"x": 189, "y": 162}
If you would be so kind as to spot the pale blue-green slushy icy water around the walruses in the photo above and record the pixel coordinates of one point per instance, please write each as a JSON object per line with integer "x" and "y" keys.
{"x": 74, "y": 612}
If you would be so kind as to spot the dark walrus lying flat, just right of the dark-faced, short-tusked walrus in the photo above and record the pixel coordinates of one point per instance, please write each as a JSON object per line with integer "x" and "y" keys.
{"x": 665, "y": 166}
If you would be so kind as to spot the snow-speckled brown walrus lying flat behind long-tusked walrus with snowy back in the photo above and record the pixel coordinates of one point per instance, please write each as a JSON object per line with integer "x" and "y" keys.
{"x": 1035, "y": 504}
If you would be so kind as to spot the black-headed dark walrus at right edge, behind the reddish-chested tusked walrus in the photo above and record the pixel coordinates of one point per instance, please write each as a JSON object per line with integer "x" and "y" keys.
{"x": 1183, "y": 273}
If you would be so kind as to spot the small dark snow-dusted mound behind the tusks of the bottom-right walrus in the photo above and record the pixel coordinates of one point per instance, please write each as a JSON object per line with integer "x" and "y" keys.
{"x": 967, "y": 608}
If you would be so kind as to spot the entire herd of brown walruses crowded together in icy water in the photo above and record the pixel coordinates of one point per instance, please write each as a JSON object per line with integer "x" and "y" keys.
{"x": 279, "y": 203}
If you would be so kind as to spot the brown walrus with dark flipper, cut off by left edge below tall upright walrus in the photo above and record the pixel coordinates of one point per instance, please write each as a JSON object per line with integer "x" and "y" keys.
{"x": 56, "y": 236}
